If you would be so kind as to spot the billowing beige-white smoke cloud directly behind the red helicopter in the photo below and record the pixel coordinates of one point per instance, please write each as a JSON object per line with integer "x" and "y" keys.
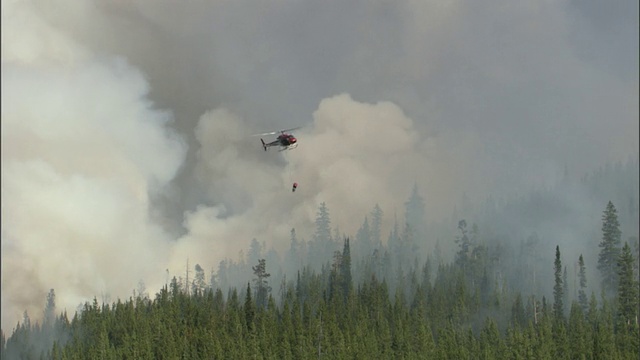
{"x": 352, "y": 156}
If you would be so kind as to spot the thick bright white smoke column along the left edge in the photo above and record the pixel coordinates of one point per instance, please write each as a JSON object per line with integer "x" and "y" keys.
{"x": 82, "y": 149}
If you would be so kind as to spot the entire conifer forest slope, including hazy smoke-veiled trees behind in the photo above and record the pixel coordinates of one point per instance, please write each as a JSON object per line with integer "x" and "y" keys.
{"x": 516, "y": 278}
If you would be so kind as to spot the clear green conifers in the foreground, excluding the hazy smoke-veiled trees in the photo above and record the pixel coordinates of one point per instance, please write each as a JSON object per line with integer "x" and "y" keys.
{"x": 455, "y": 314}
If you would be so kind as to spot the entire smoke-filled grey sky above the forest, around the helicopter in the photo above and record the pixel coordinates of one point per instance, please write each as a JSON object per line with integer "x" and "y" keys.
{"x": 126, "y": 125}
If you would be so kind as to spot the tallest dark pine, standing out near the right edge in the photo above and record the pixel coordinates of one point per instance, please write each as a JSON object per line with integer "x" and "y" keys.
{"x": 610, "y": 249}
